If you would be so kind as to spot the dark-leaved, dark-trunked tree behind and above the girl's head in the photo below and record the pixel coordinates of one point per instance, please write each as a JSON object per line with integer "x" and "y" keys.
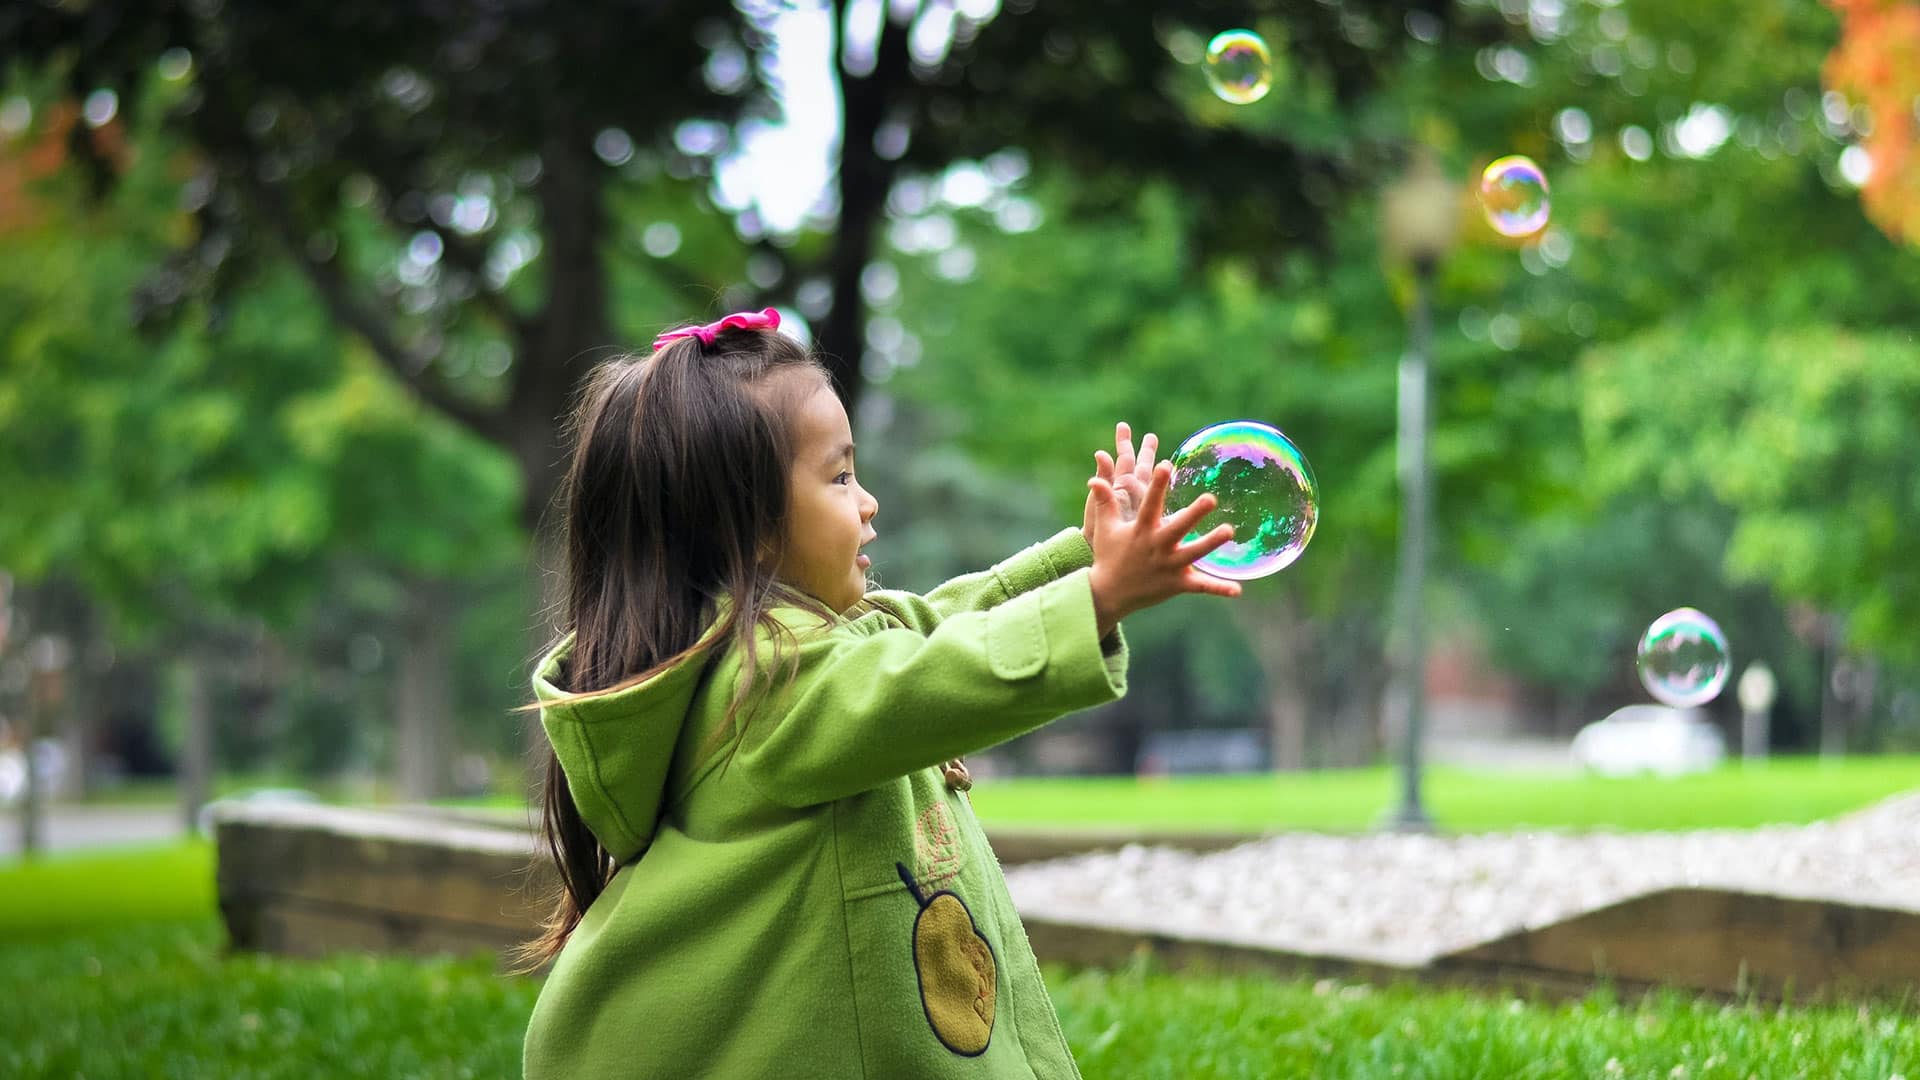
{"x": 454, "y": 178}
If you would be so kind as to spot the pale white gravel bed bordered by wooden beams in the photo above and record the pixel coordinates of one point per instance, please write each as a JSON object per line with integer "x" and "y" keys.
{"x": 1404, "y": 900}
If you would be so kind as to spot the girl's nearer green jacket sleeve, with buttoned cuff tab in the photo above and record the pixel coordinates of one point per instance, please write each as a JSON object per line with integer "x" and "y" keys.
{"x": 867, "y": 710}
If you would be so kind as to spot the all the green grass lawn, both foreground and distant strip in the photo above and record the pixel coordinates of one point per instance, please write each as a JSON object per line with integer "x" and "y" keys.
{"x": 116, "y": 966}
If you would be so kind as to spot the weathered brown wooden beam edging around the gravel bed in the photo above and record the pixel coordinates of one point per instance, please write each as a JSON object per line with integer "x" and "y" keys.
{"x": 310, "y": 879}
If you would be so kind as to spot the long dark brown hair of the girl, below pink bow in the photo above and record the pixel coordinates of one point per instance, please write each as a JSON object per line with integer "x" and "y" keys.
{"x": 673, "y": 503}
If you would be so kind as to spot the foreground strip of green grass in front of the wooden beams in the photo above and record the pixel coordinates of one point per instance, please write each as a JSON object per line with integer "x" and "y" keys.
{"x": 166, "y": 1000}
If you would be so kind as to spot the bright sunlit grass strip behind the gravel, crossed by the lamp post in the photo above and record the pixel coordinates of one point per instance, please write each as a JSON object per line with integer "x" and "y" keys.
{"x": 1351, "y": 800}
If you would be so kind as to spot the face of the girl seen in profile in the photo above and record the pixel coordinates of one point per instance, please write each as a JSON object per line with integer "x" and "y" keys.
{"x": 828, "y": 512}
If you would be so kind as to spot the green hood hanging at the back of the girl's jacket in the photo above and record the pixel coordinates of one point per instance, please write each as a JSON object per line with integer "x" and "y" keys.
{"x": 617, "y": 750}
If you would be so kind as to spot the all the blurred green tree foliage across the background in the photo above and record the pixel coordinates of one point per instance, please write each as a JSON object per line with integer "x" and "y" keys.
{"x": 1170, "y": 283}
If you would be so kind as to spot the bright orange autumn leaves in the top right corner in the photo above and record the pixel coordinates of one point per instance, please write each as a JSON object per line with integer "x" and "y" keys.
{"x": 1877, "y": 64}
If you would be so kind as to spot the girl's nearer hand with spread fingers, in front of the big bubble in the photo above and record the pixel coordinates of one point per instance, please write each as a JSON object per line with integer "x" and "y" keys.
{"x": 1140, "y": 560}
